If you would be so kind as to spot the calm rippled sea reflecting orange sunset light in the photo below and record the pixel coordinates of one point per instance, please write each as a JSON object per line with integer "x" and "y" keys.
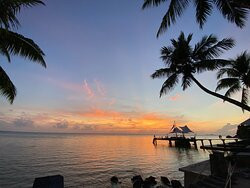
{"x": 88, "y": 160}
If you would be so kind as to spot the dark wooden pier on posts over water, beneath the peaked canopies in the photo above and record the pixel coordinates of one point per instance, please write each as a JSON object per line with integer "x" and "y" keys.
{"x": 186, "y": 142}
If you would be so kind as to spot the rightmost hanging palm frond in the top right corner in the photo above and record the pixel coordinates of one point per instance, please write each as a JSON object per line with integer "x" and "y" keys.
{"x": 233, "y": 12}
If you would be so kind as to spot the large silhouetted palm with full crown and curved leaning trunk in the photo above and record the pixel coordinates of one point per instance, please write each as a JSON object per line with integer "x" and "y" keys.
{"x": 182, "y": 62}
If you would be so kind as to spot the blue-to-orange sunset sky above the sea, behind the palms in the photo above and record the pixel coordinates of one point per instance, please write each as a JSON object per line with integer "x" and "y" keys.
{"x": 100, "y": 55}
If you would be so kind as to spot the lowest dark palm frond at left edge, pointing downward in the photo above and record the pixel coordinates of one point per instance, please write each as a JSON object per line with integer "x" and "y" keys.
{"x": 7, "y": 88}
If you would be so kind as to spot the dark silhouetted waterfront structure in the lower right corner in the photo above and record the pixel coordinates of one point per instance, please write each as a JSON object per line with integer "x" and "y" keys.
{"x": 228, "y": 166}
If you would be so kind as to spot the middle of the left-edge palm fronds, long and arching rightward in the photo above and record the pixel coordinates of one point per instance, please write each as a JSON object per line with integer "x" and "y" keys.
{"x": 16, "y": 44}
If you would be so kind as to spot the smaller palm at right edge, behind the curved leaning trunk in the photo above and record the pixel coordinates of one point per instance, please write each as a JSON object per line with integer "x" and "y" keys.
{"x": 238, "y": 77}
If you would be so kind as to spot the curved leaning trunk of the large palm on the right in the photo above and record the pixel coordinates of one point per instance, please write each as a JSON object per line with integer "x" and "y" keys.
{"x": 232, "y": 101}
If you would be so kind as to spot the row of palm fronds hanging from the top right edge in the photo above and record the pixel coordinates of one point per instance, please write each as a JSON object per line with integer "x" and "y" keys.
{"x": 234, "y": 11}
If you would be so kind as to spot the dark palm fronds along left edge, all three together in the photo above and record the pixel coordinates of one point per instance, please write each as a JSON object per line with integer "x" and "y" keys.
{"x": 12, "y": 43}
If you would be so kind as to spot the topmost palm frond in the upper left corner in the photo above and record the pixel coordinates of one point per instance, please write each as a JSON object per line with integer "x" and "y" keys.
{"x": 9, "y": 9}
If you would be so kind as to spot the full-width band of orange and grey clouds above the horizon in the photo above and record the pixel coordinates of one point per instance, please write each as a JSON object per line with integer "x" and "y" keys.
{"x": 104, "y": 120}
